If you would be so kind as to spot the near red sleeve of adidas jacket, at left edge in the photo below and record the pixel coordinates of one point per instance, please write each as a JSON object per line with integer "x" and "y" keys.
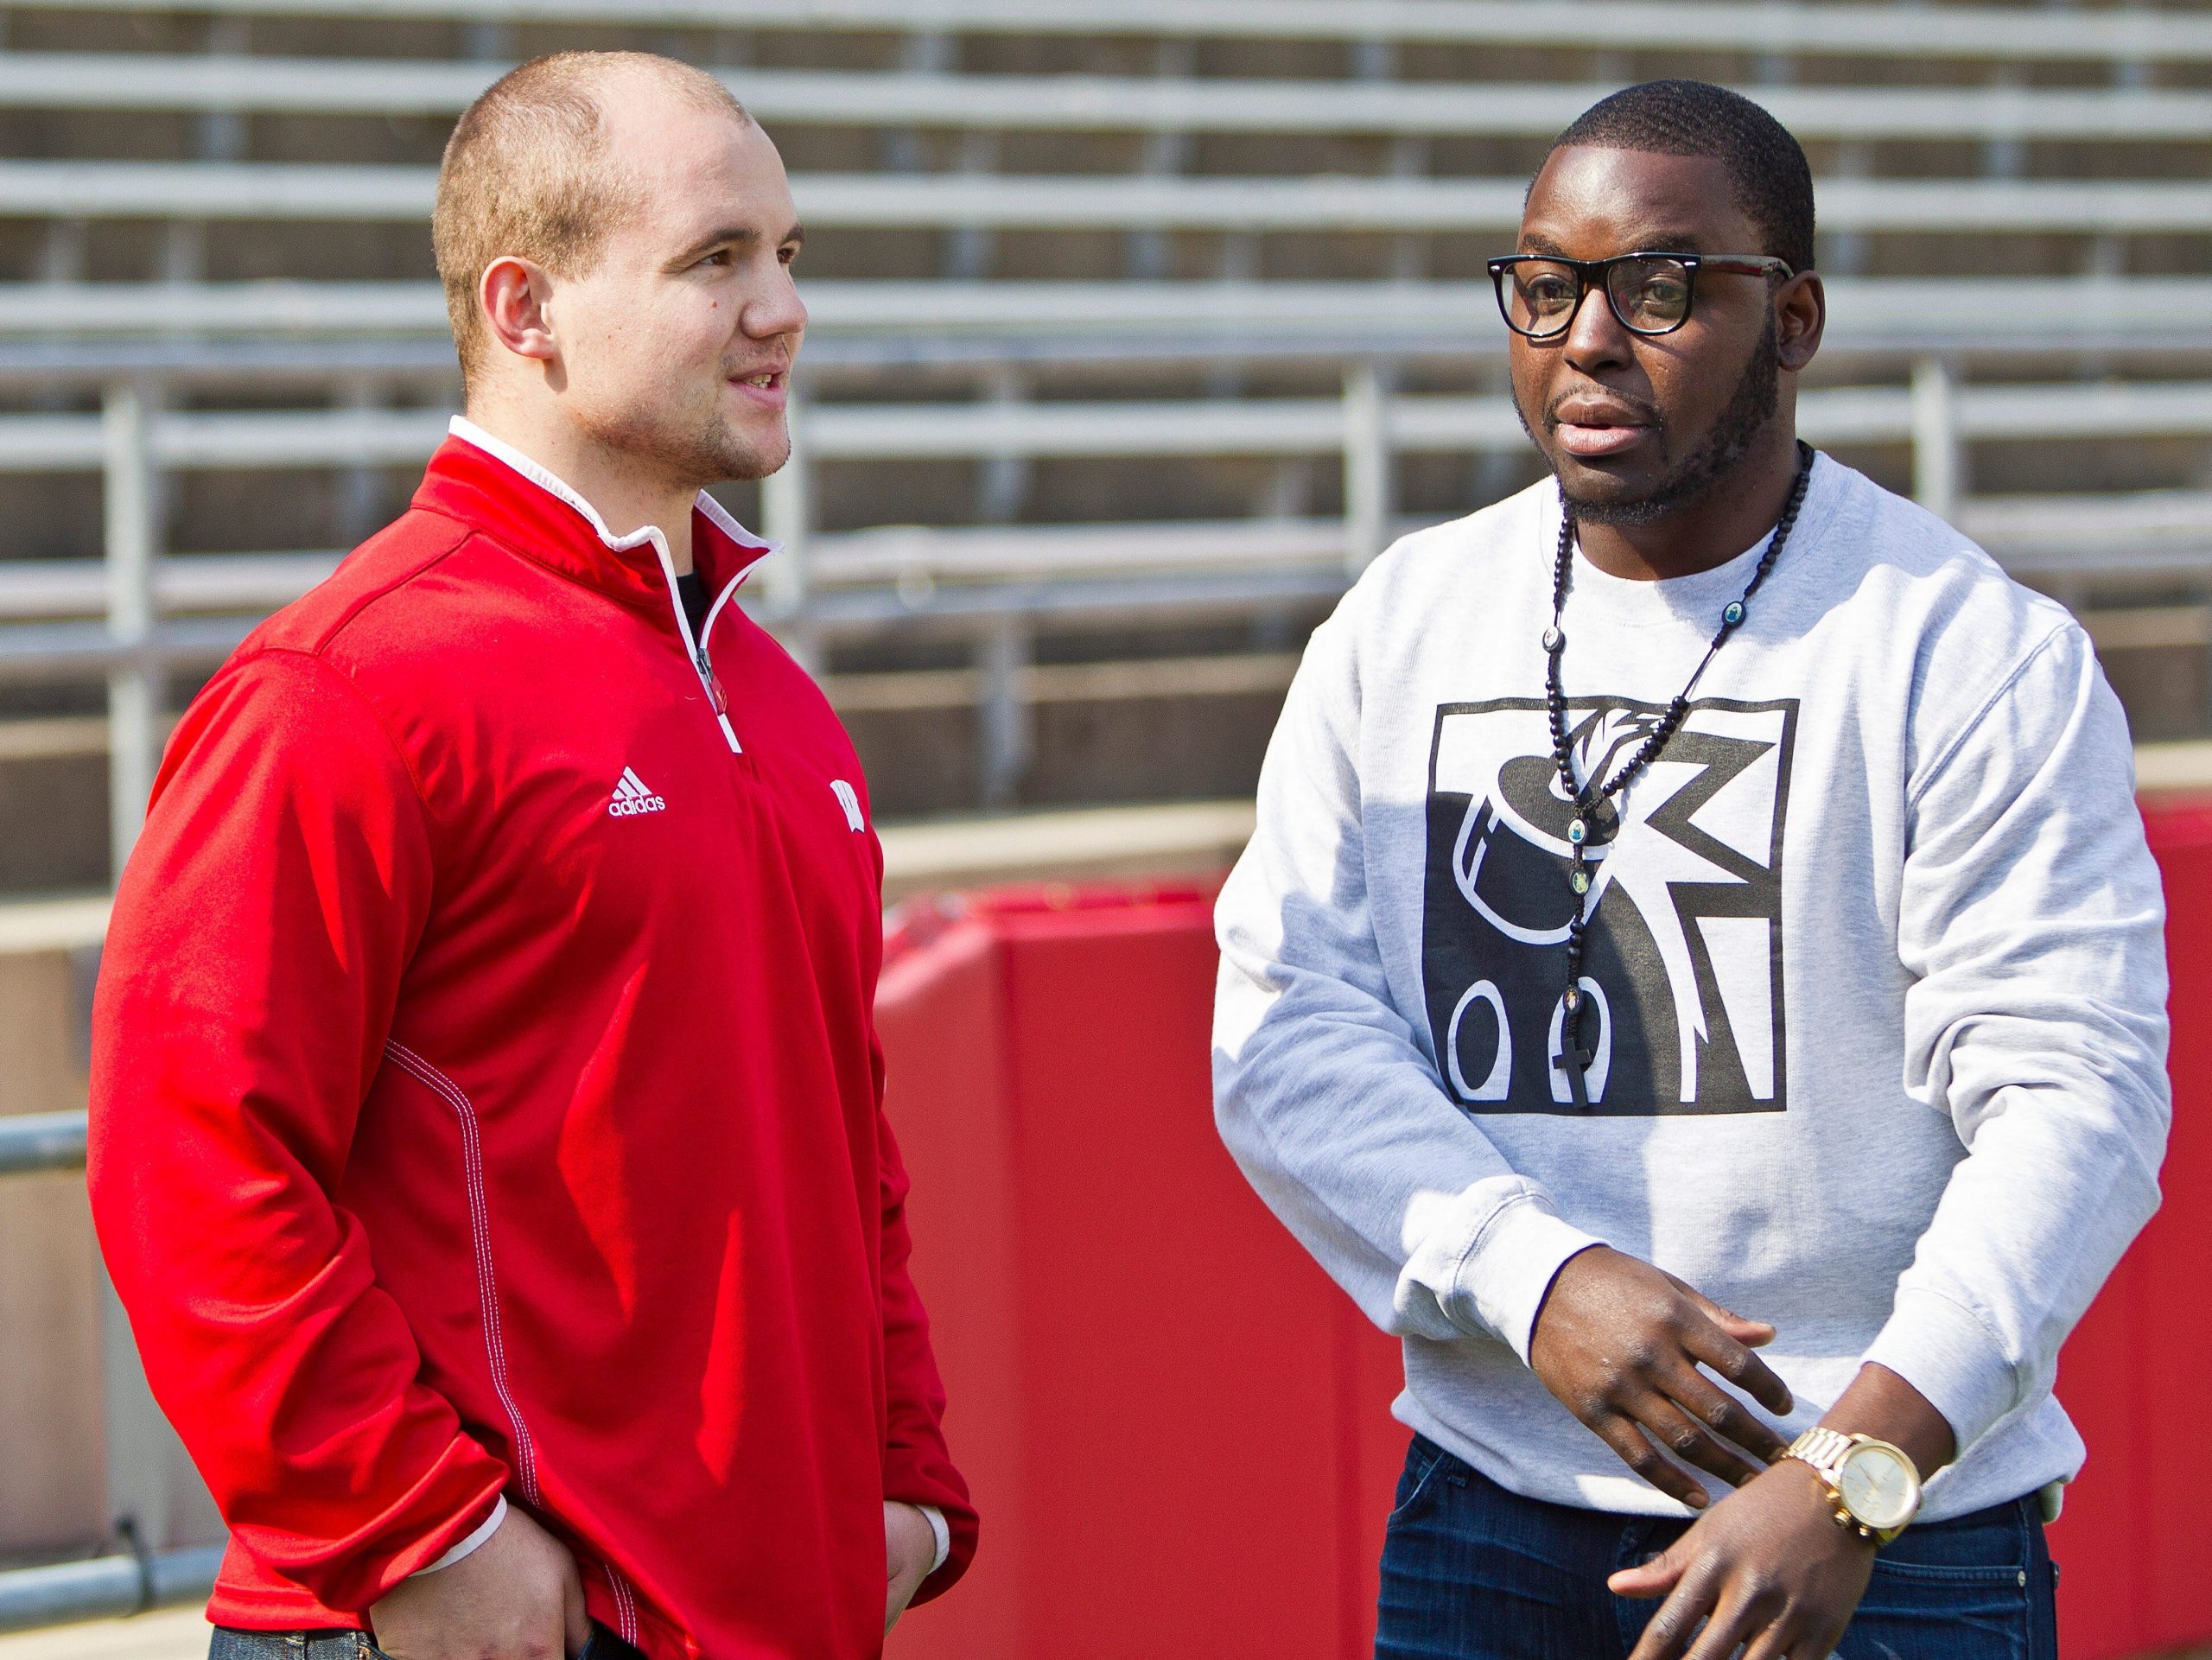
{"x": 249, "y": 979}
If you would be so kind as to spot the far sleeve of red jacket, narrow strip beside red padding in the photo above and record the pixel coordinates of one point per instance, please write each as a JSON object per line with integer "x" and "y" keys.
{"x": 917, "y": 1464}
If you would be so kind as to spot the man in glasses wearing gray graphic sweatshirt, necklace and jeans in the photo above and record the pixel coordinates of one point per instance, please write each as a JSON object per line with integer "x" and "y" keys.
{"x": 1700, "y": 982}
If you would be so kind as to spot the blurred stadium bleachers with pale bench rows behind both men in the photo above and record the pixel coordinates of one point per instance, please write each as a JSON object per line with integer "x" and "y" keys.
{"x": 1138, "y": 329}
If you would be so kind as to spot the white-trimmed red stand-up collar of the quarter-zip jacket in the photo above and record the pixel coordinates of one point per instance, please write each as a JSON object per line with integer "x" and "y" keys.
{"x": 490, "y": 484}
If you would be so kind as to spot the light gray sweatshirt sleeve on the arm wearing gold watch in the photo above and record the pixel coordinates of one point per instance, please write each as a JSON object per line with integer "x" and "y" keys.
{"x": 2032, "y": 917}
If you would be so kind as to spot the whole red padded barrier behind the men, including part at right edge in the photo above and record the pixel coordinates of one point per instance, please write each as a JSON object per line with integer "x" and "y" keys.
{"x": 1180, "y": 1431}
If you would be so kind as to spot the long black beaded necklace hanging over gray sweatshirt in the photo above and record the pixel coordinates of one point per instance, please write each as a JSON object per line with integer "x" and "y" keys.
{"x": 1587, "y": 798}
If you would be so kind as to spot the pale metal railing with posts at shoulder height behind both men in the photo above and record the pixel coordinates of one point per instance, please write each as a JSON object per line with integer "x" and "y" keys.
{"x": 138, "y": 614}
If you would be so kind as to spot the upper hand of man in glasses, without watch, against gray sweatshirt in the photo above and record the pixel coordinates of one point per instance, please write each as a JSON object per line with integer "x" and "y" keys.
{"x": 1620, "y": 1345}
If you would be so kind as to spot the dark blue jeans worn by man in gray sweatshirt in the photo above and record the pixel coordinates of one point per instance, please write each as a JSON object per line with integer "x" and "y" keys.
{"x": 1474, "y": 1573}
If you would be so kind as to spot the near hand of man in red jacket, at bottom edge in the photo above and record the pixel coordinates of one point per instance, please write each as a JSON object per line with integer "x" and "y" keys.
{"x": 517, "y": 1597}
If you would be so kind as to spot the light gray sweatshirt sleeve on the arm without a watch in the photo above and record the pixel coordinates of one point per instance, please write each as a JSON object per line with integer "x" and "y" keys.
{"x": 1322, "y": 1088}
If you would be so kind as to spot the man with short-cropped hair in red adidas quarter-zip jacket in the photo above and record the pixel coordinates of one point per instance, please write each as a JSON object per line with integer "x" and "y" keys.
{"x": 488, "y": 1123}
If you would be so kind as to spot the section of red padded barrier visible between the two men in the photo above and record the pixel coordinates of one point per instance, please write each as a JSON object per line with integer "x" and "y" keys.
{"x": 1176, "y": 1426}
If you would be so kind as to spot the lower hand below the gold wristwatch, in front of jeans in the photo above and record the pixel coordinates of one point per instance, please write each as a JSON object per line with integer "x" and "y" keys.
{"x": 1768, "y": 1568}
